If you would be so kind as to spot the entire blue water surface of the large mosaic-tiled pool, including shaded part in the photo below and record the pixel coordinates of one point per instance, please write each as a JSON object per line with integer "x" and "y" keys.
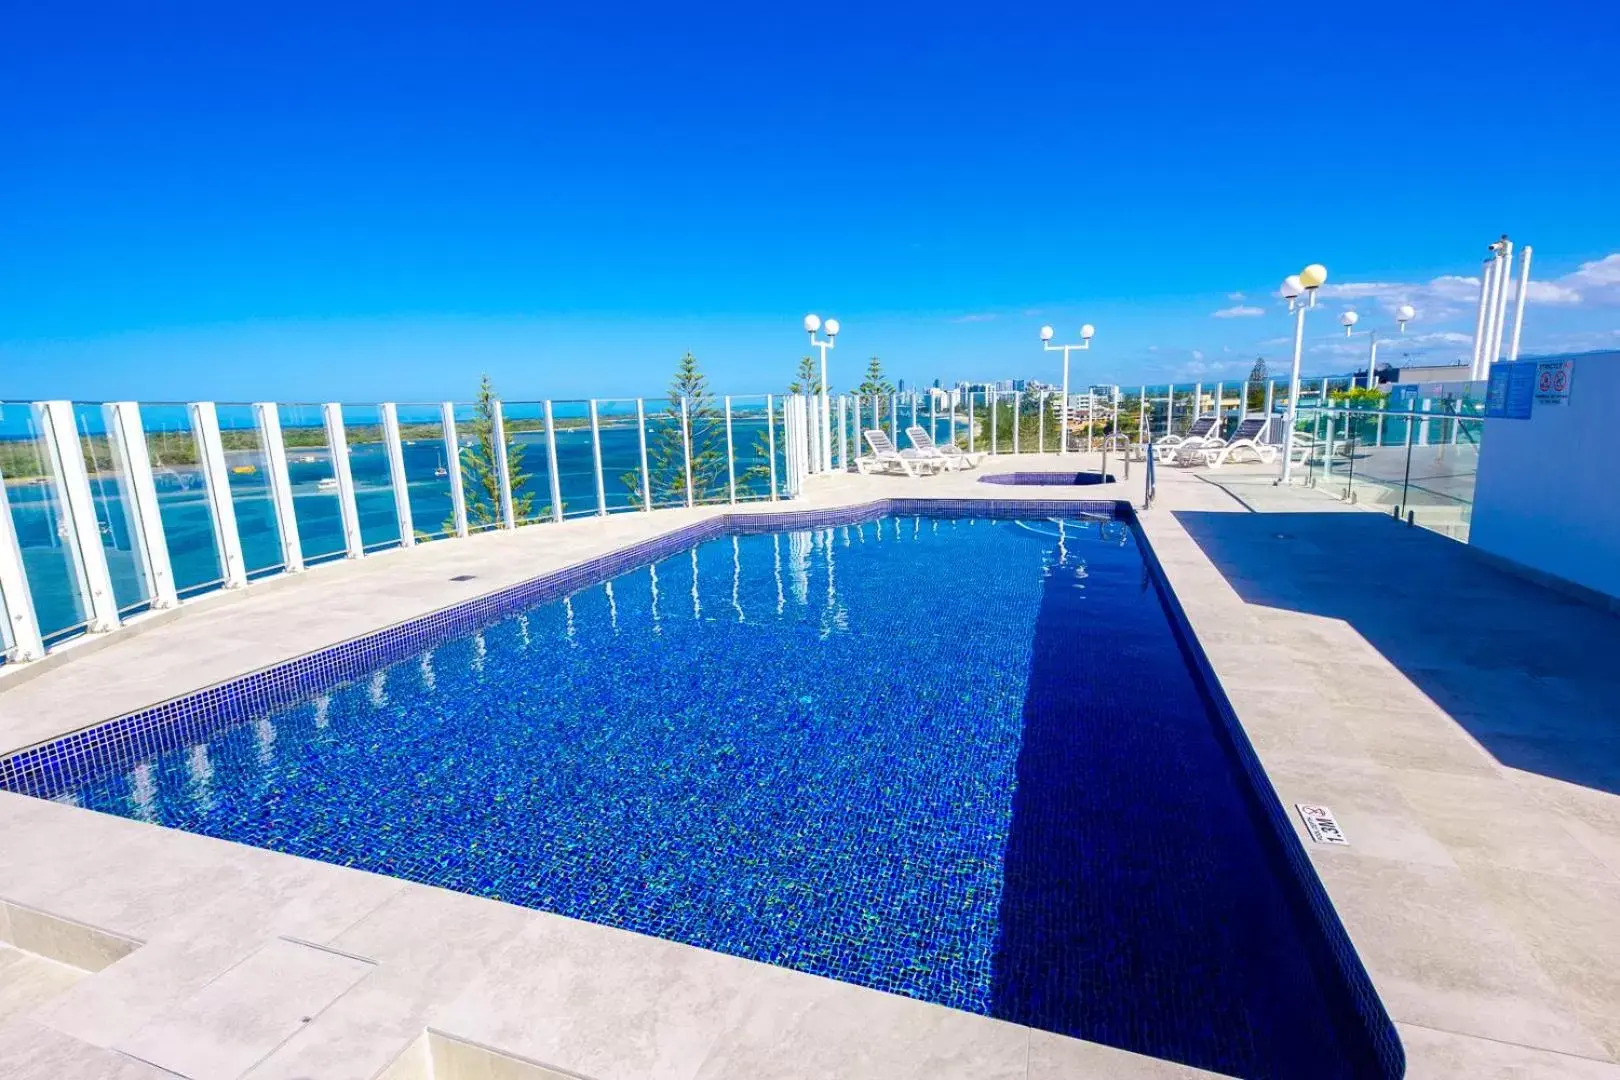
{"x": 947, "y": 759}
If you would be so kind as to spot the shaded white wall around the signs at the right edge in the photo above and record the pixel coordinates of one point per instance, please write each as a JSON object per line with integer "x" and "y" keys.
{"x": 1550, "y": 487}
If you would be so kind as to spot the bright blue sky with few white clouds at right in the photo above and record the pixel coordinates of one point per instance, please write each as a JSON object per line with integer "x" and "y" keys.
{"x": 362, "y": 202}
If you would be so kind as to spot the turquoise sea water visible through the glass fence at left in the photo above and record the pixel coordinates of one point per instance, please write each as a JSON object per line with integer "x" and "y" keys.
{"x": 189, "y": 521}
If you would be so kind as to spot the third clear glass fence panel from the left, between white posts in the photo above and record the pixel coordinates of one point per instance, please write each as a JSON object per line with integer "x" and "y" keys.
{"x": 182, "y": 498}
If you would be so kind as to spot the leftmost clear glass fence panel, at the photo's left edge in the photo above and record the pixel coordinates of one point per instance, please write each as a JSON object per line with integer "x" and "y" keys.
{"x": 49, "y": 561}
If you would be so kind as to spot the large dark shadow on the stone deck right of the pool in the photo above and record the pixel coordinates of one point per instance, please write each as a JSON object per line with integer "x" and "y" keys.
{"x": 1524, "y": 670}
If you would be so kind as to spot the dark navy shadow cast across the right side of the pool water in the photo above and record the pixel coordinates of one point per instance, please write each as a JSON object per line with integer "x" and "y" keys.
{"x": 1146, "y": 899}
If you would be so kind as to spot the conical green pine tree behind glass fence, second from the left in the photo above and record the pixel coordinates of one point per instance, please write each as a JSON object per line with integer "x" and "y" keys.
{"x": 667, "y": 449}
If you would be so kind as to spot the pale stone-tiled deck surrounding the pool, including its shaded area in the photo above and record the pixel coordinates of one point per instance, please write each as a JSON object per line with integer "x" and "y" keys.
{"x": 1460, "y": 723}
